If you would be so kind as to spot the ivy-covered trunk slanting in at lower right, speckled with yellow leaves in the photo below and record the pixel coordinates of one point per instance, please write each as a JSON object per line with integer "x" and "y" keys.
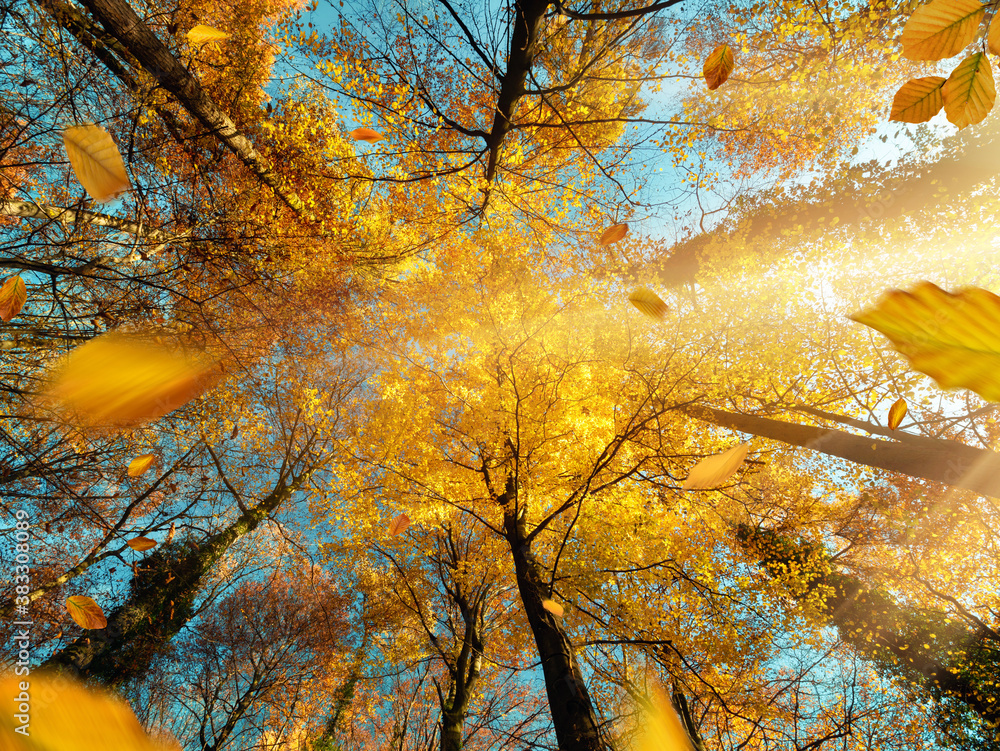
{"x": 962, "y": 664}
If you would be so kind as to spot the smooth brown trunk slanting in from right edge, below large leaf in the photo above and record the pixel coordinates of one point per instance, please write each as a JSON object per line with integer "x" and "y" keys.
{"x": 940, "y": 460}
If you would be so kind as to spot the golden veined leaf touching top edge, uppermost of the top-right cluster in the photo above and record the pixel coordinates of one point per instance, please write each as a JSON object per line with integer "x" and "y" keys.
{"x": 941, "y": 29}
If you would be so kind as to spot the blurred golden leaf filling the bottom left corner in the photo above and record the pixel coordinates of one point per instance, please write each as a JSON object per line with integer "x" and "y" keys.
{"x": 79, "y": 718}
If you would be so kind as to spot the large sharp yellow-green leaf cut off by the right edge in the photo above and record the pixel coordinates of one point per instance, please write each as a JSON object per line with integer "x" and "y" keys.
{"x": 953, "y": 338}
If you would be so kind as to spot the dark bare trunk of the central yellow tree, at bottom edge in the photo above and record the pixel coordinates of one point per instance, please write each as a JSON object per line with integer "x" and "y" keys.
{"x": 572, "y": 711}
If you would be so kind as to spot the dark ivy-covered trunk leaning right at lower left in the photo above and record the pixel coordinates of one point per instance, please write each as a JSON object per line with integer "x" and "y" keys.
{"x": 160, "y": 603}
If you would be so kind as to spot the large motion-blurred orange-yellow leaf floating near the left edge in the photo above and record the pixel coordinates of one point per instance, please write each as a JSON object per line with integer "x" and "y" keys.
{"x": 120, "y": 381}
